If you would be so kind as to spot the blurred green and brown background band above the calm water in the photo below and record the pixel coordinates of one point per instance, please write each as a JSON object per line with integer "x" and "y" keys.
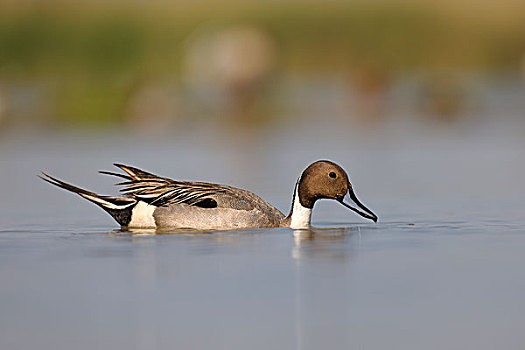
{"x": 181, "y": 65}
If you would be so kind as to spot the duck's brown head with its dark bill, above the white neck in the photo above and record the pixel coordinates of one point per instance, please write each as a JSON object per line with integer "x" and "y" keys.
{"x": 325, "y": 179}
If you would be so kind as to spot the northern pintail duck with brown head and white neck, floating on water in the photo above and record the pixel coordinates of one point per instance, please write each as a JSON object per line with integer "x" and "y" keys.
{"x": 150, "y": 201}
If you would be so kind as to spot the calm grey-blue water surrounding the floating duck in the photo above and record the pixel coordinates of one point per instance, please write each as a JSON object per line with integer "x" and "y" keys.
{"x": 443, "y": 267}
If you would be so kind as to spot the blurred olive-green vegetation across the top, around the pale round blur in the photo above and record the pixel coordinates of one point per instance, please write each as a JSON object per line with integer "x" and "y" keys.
{"x": 92, "y": 54}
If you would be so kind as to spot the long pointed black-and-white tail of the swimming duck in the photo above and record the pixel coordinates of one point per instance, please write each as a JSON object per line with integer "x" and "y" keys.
{"x": 118, "y": 207}
